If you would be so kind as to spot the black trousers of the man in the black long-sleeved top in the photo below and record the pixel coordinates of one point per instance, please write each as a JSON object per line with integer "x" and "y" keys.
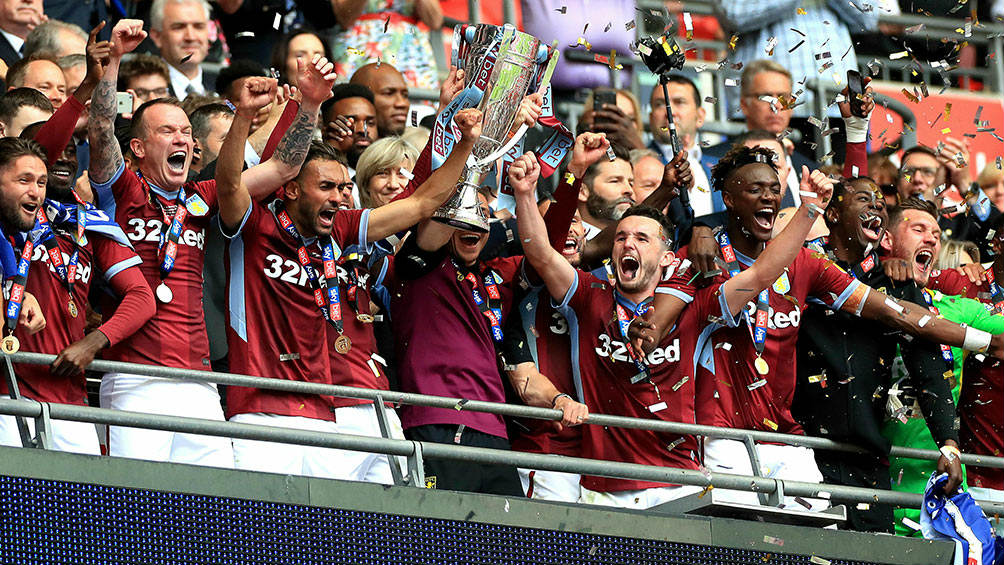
{"x": 860, "y": 471}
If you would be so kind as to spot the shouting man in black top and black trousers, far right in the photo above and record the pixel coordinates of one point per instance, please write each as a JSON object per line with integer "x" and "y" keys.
{"x": 844, "y": 361}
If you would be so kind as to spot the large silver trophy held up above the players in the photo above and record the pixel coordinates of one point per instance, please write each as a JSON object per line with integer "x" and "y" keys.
{"x": 518, "y": 58}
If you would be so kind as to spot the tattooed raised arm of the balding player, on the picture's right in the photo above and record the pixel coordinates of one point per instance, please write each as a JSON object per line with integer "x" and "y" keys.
{"x": 315, "y": 83}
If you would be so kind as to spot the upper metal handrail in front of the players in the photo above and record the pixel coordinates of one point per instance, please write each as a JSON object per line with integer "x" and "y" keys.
{"x": 499, "y": 409}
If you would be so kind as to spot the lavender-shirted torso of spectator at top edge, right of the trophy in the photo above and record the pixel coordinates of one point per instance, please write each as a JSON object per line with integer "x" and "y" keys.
{"x": 565, "y": 21}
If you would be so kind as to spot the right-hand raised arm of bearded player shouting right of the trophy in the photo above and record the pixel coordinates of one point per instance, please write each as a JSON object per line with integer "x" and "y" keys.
{"x": 816, "y": 190}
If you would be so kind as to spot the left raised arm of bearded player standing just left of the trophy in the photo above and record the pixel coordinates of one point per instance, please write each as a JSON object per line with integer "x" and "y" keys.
{"x": 234, "y": 197}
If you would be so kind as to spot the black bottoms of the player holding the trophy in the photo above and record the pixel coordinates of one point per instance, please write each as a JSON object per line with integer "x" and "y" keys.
{"x": 465, "y": 476}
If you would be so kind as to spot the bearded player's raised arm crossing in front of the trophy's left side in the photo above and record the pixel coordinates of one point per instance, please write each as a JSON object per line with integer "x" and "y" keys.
{"x": 405, "y": 213}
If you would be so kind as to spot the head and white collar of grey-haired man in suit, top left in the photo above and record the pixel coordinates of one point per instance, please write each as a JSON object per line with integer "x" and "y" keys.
{"x": 180, "y": 30}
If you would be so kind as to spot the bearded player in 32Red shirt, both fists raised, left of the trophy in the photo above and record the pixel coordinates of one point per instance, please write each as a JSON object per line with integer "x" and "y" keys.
{"x": 280, "y": 318}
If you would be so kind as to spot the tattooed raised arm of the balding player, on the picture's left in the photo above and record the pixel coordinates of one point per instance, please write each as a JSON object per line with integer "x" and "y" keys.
{"x": 106, "y": 156}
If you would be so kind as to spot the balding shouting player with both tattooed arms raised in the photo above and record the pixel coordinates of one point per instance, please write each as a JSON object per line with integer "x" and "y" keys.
{"x": 166, "y": 217}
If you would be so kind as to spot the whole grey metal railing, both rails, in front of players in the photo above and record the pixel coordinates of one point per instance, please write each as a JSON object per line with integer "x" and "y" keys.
{"x": 415, "y": 452}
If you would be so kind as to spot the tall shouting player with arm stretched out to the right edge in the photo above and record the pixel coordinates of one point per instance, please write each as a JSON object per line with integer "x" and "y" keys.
{"x": 744, "y": 366}
